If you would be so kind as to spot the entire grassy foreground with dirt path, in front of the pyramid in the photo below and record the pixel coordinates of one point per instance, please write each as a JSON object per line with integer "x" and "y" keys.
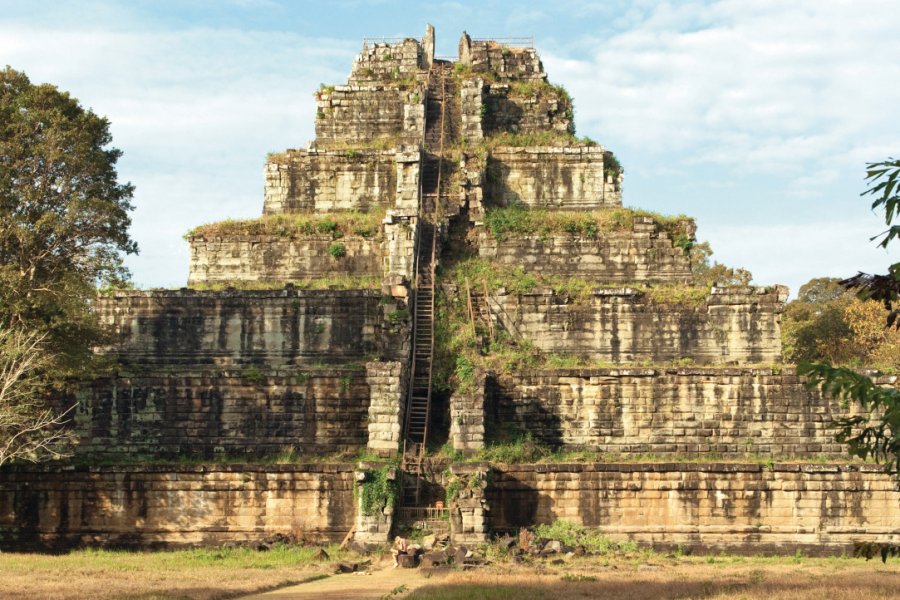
{"x": 200, "y": 574}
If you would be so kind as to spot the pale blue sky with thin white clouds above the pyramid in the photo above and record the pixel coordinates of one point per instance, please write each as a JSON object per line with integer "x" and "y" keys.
{"x": 754, "y": 117}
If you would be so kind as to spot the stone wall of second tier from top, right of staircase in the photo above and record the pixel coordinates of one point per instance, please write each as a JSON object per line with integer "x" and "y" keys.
{"x": 508, "y": 112}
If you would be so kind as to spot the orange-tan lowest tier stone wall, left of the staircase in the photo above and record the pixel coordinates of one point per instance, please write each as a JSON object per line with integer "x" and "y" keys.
{"x": 155, "y": 506}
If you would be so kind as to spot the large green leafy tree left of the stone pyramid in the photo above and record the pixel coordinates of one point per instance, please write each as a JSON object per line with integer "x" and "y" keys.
{"x": 63, "y": 216}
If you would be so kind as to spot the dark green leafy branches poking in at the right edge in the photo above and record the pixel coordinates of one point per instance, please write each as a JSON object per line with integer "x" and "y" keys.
{"x": 876, "y": 432}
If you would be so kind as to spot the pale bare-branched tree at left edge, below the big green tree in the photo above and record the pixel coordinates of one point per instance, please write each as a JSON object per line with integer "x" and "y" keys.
{"x": 29, "y": 430}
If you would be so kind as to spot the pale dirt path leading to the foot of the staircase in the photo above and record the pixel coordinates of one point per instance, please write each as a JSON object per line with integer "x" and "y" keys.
{"x": 349, "y": 586}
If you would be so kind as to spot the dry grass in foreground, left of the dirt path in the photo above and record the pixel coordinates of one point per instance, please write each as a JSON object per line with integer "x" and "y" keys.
{"x": 195, "y": 574}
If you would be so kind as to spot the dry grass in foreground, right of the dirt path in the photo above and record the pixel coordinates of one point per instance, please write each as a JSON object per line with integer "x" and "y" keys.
{"x": 763, "y": 579}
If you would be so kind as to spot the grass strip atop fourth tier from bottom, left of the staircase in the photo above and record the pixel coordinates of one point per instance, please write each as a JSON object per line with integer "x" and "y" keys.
{"x": 334, "y": 225}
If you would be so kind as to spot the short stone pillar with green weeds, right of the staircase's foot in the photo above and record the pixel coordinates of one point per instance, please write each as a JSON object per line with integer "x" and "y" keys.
{"x": 469, "y": 508}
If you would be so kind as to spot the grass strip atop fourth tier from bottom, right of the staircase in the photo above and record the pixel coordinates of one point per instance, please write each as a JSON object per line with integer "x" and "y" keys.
{"x": 516, "y": 221}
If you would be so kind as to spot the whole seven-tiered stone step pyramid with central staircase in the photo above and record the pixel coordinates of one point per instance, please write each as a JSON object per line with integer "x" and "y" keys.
{"x": 311, "y": 332}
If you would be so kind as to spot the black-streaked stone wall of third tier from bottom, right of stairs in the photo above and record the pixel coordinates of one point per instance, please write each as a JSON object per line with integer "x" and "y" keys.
{"x": 739, "y": 325}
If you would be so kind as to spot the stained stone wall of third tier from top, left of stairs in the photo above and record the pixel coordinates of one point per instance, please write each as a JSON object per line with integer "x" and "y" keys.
{"x": 329, "y": 180}
